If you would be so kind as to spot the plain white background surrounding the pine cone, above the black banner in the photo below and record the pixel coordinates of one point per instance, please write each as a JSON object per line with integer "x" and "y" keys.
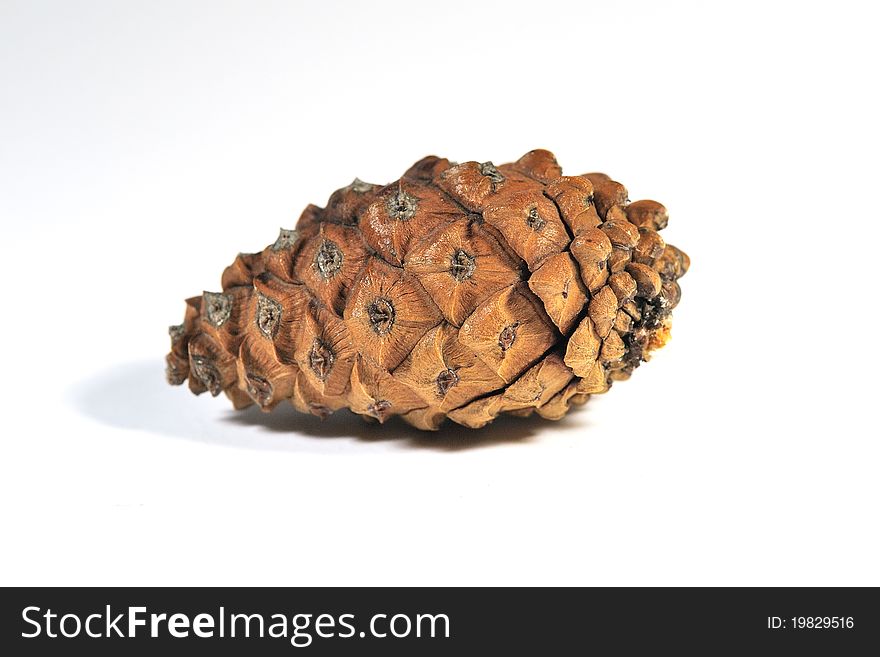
{"x": 143, "y": 144}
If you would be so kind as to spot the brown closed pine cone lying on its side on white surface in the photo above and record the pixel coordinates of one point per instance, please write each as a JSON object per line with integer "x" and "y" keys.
{"x": 461, "y": 291}
